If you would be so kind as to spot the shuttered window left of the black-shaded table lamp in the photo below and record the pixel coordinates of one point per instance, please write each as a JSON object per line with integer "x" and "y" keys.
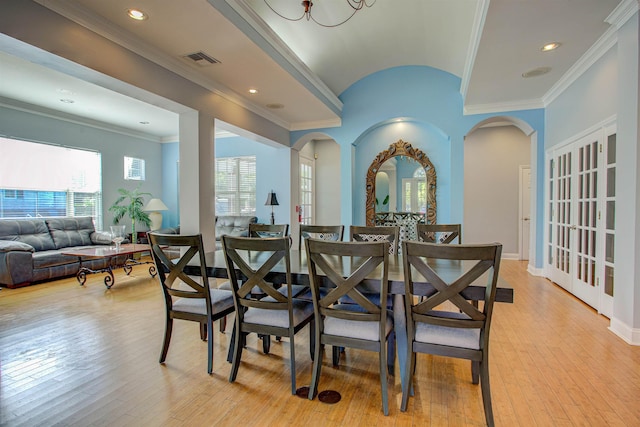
{"x": 236, "y": 185}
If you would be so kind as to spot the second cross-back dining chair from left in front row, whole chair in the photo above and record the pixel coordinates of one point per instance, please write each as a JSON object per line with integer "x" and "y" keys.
{"x": 276, "y": 314}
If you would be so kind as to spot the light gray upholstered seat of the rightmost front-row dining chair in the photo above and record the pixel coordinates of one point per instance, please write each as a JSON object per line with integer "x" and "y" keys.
{"x": 444, "y": 335}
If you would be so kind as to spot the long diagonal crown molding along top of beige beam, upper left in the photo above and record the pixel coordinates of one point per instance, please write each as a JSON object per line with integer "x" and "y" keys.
{"x": 102, "y": 27}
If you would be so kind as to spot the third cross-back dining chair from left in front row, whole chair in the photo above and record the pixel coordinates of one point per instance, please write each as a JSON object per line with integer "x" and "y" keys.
{"x": 362, "y": 325}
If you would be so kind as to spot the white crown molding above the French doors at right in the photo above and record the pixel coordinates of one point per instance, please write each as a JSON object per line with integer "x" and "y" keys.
{"x": 595, "y": 52}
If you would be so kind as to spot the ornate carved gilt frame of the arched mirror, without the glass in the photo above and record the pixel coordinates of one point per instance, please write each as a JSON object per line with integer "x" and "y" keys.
{"x": 400, "y": 148}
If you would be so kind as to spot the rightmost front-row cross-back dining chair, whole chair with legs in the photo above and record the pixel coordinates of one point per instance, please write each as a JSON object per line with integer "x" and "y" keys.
{"x": 445, "y": 323}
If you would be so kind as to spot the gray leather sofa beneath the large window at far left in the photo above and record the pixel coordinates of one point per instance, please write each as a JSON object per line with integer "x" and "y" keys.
{"x": 31, "y": 249}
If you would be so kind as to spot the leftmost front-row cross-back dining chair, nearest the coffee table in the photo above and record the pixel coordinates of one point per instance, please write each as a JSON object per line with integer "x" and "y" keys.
{"x": 187, "y": 297}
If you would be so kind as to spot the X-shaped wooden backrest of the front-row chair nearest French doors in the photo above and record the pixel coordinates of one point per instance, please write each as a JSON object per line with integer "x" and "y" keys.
{"x": 450, "y": 269}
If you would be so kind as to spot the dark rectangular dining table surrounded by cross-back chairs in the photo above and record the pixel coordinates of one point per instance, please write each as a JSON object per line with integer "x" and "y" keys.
{"x": 447, "y": 269}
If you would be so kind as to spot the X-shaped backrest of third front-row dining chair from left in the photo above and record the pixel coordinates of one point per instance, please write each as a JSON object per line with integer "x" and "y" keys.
{"x": 364, "y": 259}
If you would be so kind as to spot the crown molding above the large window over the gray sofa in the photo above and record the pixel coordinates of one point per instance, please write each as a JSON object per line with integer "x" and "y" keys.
{"x": 70, "y": 118}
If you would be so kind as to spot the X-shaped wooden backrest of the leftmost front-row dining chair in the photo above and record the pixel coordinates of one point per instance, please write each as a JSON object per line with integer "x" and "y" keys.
{"x": 170, "y": 269}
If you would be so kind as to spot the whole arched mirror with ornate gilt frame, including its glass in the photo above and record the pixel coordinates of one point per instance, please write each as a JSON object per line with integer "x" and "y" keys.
{"x": 406, "y": 179}
